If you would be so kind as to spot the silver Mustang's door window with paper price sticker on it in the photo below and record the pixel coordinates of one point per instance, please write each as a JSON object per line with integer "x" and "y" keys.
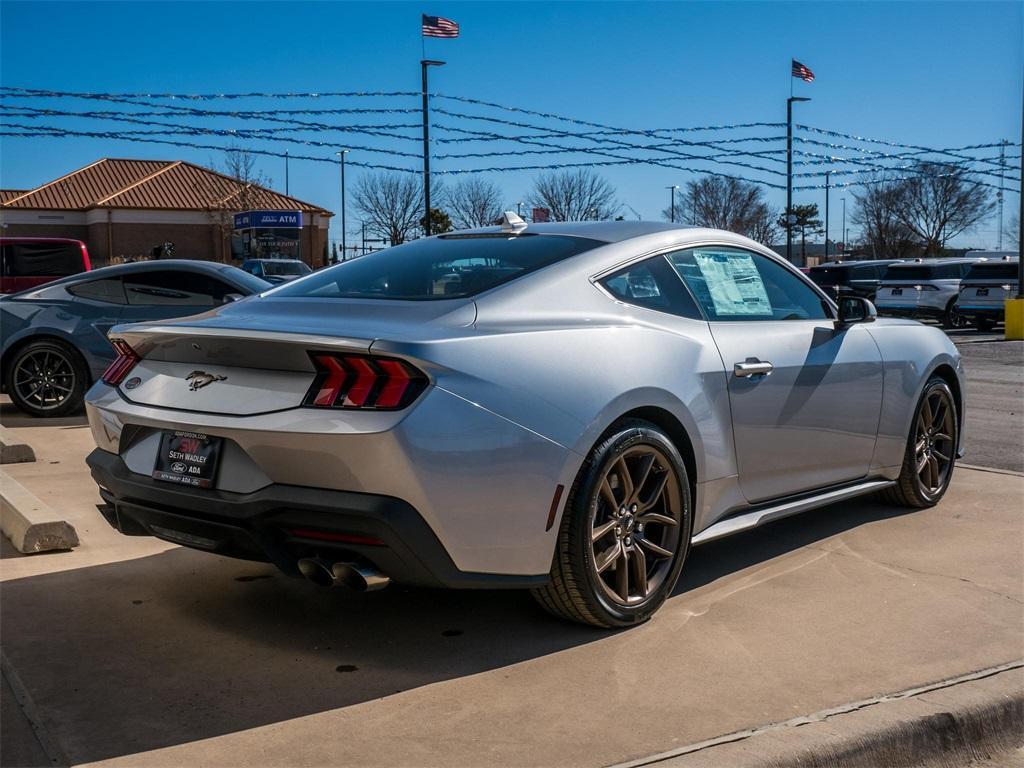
{"x": 735, "y": 285}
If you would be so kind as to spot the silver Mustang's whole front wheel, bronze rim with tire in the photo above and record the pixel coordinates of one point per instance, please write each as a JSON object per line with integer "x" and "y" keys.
{"x": 931, "y": 450}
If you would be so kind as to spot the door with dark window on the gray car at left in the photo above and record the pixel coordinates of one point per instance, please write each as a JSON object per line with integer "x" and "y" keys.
{"x": 160, "y": 294}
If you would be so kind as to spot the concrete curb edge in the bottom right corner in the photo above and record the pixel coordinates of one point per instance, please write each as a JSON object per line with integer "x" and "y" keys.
{"x": 952, "y": 722}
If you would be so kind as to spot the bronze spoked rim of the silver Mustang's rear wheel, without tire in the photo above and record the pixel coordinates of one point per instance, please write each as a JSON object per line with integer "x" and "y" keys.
{"x": 634, "y": 528}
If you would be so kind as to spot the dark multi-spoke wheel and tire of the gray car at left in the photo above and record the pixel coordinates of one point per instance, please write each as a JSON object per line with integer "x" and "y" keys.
{"x": 47, "y": 379}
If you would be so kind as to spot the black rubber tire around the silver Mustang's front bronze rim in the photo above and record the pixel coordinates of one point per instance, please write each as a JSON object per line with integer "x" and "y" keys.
{"x": 910, "y": 490}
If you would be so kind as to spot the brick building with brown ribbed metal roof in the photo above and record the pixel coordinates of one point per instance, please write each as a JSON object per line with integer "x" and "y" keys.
{"x": 124, "y": 208}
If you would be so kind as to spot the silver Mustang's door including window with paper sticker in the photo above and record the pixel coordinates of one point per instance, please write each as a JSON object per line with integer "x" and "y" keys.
{"x": 805, "y": 396}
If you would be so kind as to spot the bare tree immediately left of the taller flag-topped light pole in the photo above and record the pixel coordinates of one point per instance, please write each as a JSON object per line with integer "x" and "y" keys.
{"x": 391, "y": 203}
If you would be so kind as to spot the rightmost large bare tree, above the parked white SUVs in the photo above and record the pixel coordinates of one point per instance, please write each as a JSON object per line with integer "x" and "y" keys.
{"x": 938, "y": 202}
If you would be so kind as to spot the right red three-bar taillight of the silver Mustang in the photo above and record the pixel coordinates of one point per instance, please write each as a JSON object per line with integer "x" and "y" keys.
{"x": 364, "y": 382}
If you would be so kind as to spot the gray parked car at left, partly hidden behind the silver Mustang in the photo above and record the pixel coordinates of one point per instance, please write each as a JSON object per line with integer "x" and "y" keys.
{"x": 55, "y": 337}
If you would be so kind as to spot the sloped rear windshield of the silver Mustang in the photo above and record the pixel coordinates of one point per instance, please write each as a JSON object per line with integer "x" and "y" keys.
{"x": 445, "y": 268}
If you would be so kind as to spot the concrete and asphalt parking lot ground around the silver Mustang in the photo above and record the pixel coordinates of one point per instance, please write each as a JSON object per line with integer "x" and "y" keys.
{"x": 133, "y": 652}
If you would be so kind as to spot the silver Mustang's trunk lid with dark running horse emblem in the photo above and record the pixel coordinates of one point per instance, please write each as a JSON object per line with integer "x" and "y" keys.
{"x": 253, "y": 357}
